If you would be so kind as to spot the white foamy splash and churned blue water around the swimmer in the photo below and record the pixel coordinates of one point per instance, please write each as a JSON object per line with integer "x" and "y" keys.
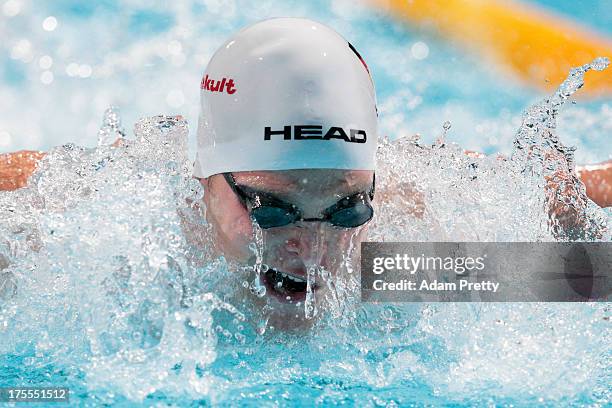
{"x": 108, "y": 282}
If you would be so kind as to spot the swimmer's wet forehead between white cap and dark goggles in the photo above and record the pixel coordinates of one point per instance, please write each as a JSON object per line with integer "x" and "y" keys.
{"x": 312, "y": 180}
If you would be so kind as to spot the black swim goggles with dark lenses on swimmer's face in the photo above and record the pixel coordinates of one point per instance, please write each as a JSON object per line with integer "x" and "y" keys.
{"x": 269, "y": 211}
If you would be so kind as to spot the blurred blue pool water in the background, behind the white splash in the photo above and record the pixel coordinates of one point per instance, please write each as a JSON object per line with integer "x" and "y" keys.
{"x": 147, "y": 58}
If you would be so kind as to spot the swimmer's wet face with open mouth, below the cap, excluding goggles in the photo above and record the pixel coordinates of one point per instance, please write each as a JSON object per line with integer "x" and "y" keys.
{"x": 288, "y": 249}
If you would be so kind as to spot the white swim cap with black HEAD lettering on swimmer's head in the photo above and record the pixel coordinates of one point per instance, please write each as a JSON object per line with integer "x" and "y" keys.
{"x": 286, "y": 93}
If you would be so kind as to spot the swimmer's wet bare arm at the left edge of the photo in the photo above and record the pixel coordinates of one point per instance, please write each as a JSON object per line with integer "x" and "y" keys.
{"x": 16, "y": 168}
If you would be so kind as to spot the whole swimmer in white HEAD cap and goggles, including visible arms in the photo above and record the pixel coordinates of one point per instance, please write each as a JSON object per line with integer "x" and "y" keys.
{"x": 287, "y": 138}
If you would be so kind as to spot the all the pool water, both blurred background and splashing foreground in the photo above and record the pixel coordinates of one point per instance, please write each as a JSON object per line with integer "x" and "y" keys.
{"x": 103, "y": 288}
